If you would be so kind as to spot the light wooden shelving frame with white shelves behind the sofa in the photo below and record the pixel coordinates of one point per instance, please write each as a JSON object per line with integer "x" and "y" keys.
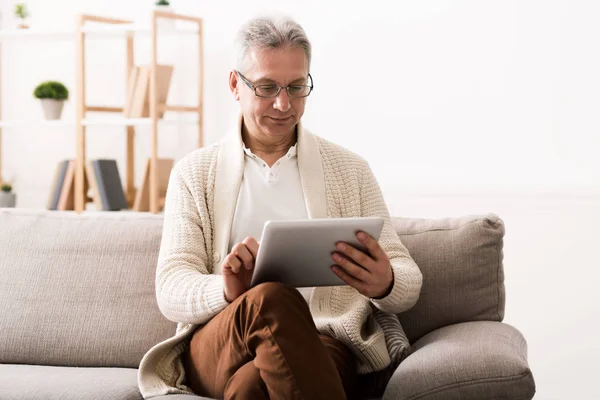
{"x": 161, "y": 24}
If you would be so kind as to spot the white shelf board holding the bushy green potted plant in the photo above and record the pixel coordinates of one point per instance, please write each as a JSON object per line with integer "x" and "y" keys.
{"x": 115, "y": 121}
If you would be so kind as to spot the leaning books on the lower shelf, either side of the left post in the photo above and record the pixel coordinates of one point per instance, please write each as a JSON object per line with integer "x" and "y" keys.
{"x": 102, "y": 176}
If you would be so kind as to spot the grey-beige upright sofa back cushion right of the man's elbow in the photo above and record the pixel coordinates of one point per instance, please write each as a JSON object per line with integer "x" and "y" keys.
{"x": 463, "y": 276}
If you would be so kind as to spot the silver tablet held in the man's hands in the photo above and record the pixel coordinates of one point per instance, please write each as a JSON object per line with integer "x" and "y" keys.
{"x": 299, "y": 252}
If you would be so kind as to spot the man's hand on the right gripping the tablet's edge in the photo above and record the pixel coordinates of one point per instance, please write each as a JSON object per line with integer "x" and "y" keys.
{"x": 371, "y": 274}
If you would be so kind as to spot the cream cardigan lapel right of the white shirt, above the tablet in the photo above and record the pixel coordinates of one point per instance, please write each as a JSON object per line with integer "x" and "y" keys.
{"x": 311, "y": 174}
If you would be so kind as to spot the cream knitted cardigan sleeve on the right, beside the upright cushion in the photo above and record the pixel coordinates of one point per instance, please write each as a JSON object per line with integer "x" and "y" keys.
{"x": 407, "y": 276}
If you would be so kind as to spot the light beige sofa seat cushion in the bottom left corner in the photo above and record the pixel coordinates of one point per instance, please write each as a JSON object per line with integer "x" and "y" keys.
{"x": 33, "y": 382}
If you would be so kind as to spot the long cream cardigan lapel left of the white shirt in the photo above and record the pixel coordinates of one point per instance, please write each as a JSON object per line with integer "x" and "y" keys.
{"x": 230, "y": 169}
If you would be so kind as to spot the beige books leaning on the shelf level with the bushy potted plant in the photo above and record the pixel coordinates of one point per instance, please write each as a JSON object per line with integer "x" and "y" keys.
{"x": 138, "y": 90}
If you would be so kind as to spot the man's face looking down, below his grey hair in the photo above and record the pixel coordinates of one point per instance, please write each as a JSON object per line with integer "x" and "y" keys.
{"x": 271, "y": 117}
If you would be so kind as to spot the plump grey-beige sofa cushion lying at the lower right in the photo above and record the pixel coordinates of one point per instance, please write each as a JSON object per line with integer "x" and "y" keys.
{"x": 468, "y": 361}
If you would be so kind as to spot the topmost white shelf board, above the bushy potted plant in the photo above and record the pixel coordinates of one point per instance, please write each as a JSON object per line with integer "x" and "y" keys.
{"x": 93, "y": 30}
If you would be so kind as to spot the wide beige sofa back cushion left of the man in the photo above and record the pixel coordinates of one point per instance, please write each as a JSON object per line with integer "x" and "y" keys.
{"x": 78, "y": 290}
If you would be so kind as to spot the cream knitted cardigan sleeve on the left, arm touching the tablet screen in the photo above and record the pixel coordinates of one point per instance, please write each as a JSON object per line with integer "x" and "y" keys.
{"x": 185, "y": 290}
